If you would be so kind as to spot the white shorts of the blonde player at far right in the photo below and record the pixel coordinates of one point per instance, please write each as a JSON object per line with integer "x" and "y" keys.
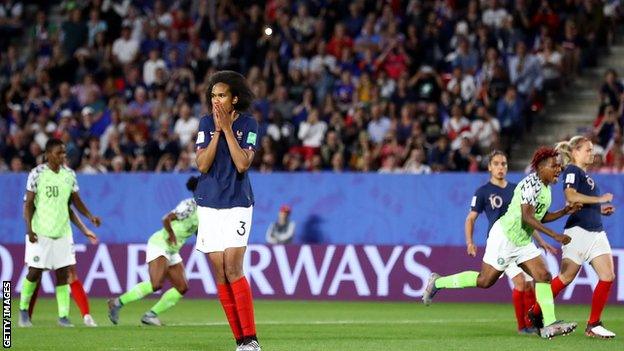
{"x": 585, "y": 245}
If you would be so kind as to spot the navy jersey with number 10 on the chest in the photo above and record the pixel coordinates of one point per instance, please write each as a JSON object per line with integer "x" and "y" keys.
{"x": 492, "y": 199}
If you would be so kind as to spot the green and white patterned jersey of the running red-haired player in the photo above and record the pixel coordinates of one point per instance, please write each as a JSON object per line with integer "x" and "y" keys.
{"x": 530, "y": 191}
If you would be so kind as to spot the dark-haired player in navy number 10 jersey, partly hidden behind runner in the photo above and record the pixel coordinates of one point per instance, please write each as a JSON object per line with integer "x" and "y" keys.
{"x": 493, "y": 198}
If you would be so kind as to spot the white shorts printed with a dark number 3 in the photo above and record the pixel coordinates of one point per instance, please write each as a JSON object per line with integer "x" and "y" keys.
{"x": 221, "y": 228}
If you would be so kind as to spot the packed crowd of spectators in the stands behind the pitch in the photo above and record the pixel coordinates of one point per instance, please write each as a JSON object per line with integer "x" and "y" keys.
{"x": 389, "y": 86}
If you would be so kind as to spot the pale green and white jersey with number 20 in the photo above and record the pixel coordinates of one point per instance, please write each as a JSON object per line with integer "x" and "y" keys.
{"x": 52, "y": 193}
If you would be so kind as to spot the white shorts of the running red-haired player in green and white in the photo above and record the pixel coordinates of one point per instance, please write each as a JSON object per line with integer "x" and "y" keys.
{"x": 500, "y": 252}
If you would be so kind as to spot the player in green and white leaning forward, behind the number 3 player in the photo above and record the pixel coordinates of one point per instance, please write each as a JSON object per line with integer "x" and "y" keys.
{"x": 164, "y": 261}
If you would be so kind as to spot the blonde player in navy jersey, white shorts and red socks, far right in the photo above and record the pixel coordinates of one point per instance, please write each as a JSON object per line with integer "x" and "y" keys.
{"x": 589, "y": 240}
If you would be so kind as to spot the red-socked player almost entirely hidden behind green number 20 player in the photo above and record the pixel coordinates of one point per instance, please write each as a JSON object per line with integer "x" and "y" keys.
{"x": 77, "y": 290}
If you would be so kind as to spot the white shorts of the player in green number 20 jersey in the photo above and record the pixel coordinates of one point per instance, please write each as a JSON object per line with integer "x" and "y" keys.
{"x": 49, "y": 253}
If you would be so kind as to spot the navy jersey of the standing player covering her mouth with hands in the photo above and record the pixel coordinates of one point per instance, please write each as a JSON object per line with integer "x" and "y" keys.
{"x": 222, "y": 186}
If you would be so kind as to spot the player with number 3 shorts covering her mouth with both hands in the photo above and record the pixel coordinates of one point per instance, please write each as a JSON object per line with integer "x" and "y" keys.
{"x": 226, "y": 143}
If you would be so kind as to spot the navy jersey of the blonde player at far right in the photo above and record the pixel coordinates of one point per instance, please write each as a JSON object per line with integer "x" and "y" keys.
{"x": 589, "y": 216}
